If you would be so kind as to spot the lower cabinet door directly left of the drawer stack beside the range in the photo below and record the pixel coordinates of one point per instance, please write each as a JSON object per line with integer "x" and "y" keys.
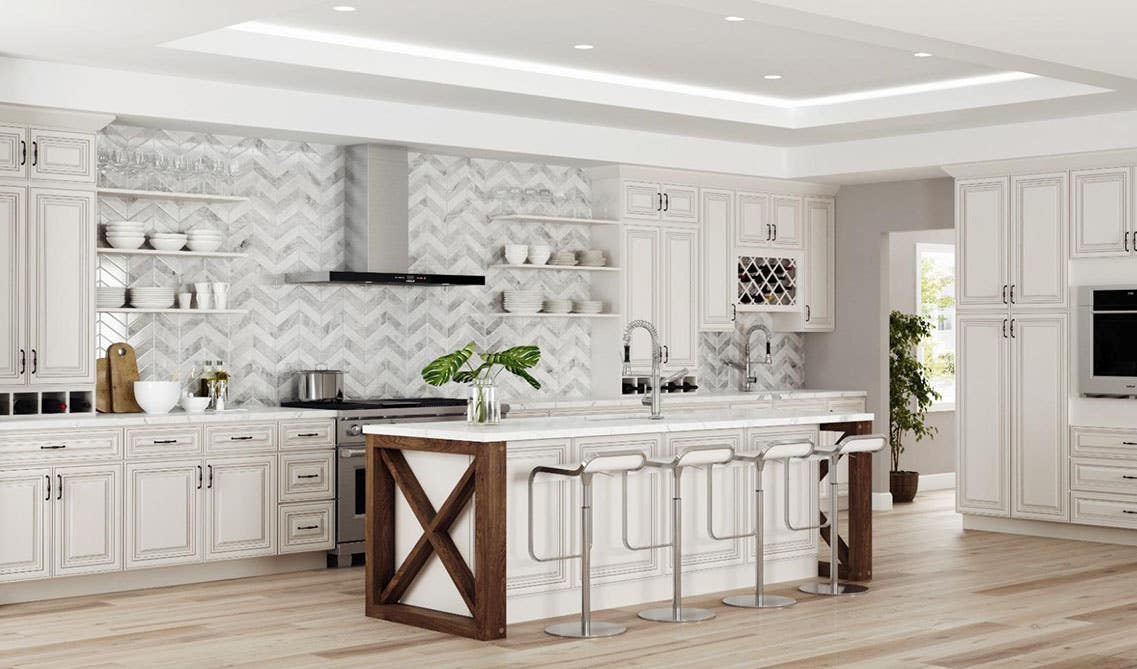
{"x": 240, "y": 507}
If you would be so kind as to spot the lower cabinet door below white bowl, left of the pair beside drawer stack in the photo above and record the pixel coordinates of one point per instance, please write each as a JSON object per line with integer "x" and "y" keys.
{"x": 163, "y": 502}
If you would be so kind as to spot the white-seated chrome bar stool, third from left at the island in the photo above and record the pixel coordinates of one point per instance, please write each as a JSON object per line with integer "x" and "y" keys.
{"x": 784, "y": 451}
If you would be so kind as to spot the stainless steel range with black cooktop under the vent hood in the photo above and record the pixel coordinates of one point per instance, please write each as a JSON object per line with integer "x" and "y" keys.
{"x": 351, "y": 491}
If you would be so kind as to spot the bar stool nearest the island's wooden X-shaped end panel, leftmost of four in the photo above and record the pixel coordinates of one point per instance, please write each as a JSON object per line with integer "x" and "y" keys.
{"x": 609, "y": 464}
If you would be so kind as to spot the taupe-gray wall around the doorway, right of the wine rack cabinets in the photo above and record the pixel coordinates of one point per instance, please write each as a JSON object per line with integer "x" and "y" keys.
{"x": 854, "y": 356}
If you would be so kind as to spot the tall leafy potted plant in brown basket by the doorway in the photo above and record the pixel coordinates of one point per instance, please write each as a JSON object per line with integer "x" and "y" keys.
{"x": 910, "y": 394}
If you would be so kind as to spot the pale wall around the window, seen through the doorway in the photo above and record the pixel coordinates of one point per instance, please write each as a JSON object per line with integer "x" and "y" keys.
{"x": 937, "y": 455}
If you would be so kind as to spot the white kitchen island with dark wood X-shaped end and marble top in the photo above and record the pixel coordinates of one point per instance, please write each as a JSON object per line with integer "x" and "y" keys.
{"x": 450, "y": 554}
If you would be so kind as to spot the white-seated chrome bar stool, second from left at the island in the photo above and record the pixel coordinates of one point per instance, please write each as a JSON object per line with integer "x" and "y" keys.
{"x": 694, "y": 457}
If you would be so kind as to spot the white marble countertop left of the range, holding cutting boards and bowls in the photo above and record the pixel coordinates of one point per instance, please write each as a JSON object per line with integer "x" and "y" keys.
{"x": 140, "y": 420}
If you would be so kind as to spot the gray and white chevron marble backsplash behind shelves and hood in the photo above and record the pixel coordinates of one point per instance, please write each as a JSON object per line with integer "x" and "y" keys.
{"x": 380, "y": 336}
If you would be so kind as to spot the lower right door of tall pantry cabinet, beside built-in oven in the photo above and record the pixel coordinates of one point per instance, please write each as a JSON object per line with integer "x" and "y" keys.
{"x": 1039, "y": 432}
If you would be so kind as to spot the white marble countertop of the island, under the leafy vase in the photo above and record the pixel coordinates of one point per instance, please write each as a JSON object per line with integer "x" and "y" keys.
{"x": 609, "y": 426}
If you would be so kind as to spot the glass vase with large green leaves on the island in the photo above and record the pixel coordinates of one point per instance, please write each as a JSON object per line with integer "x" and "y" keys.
{"x": 483, "y": 407}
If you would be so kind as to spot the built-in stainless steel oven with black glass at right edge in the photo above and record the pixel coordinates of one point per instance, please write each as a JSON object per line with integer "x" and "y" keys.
{"x": 1108, "y": 341}
